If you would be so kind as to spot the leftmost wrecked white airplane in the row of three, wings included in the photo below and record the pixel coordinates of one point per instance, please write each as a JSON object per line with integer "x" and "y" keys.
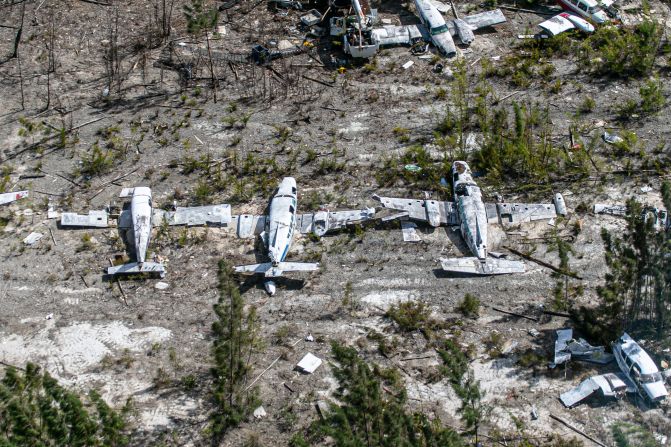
{"x": 140, "y": 217}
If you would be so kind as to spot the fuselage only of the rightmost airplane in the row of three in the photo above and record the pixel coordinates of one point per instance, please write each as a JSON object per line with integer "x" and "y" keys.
{"x": 471, "y": 209}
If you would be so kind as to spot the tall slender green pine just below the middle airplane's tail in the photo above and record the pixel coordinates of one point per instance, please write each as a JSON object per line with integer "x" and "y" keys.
{"x": 235, "y": 340}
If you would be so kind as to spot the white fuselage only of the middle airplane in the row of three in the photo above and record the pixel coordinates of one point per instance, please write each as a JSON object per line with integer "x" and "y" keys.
{"x": 282, "y": 220}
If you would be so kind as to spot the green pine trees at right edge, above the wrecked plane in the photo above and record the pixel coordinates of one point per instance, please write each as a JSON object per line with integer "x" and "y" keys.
{"x": 637, "y": 290}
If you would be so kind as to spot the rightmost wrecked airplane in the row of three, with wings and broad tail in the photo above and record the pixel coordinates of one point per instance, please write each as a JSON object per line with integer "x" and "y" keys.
{"x": 472, "y": 216}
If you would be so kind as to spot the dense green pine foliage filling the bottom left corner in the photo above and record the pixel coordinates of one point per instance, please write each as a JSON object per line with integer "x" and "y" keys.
{"x": 35, "y": 410}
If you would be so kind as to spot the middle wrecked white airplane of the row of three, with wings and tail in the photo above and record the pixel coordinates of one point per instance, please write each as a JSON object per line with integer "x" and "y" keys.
{"x": 277, "y": 230}
